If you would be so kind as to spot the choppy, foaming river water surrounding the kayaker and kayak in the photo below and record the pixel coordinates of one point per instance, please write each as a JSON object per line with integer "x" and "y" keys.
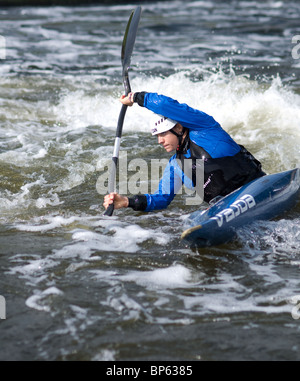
{"x": 81, "y": 286}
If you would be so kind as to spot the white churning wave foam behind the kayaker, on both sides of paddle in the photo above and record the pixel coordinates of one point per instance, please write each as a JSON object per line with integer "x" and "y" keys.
{"x": 251, "y": 112}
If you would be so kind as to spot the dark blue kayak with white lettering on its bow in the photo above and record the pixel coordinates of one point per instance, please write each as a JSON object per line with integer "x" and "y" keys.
{"x": 262, "y": 199}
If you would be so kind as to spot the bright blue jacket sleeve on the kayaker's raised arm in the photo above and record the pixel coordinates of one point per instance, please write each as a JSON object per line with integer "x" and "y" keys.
{"x": 181, "y": 112}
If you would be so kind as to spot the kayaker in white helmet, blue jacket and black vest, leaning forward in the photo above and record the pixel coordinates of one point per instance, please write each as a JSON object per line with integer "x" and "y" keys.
{"x": 193, "y": 134}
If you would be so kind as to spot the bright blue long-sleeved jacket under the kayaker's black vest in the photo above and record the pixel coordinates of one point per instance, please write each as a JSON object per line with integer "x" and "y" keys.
{"x": 203, "y": 131}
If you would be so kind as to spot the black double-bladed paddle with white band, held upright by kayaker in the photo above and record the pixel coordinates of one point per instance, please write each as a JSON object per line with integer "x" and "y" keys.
{"x": 127, "y": 48}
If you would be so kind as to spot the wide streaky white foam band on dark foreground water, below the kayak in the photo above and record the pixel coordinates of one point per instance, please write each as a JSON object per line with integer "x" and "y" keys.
{"x": 226, "y": 295}
